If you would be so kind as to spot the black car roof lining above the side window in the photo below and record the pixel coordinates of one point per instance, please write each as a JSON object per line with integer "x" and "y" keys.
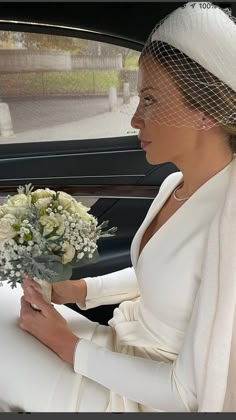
{"x": 129, "y": 20}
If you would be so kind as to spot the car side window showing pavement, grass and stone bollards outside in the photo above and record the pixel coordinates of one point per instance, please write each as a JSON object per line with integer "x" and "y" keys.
{"x": 62, "y": 88}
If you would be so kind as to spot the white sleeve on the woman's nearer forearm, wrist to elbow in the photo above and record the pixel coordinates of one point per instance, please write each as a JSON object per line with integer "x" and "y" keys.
{"x": 161, "y": 385}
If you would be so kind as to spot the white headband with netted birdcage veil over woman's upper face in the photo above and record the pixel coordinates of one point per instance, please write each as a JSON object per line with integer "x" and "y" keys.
{"x": 187, "y": 69}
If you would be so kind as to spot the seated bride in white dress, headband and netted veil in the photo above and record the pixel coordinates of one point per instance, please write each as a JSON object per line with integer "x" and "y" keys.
{"x": 170, "y": 344}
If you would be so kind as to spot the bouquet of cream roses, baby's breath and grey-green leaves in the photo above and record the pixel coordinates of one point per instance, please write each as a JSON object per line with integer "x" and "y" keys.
{"x": 44, "y": 234}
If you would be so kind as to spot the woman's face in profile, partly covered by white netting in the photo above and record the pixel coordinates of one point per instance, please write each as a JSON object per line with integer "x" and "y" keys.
{"x": 161, "y": 114}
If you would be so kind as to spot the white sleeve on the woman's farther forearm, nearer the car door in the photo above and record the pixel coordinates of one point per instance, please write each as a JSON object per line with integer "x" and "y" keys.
{"x": 111, "y": 288}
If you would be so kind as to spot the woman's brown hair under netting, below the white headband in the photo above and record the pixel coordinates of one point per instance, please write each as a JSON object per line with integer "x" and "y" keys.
{"x": 215, "y": 100}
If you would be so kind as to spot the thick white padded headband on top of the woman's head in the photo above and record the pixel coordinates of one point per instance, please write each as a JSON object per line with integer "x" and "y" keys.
{"x": 206, "y": 34}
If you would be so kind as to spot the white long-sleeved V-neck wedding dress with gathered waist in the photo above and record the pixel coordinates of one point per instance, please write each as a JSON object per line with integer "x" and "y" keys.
{"x": 142, "y": 361}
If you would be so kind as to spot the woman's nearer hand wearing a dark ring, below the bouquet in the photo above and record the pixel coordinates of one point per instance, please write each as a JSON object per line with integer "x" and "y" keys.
{"x": 48, "y": 325}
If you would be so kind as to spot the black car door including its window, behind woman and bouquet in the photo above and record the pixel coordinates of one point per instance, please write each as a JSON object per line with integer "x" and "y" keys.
{"x": 66, "y": 102}
